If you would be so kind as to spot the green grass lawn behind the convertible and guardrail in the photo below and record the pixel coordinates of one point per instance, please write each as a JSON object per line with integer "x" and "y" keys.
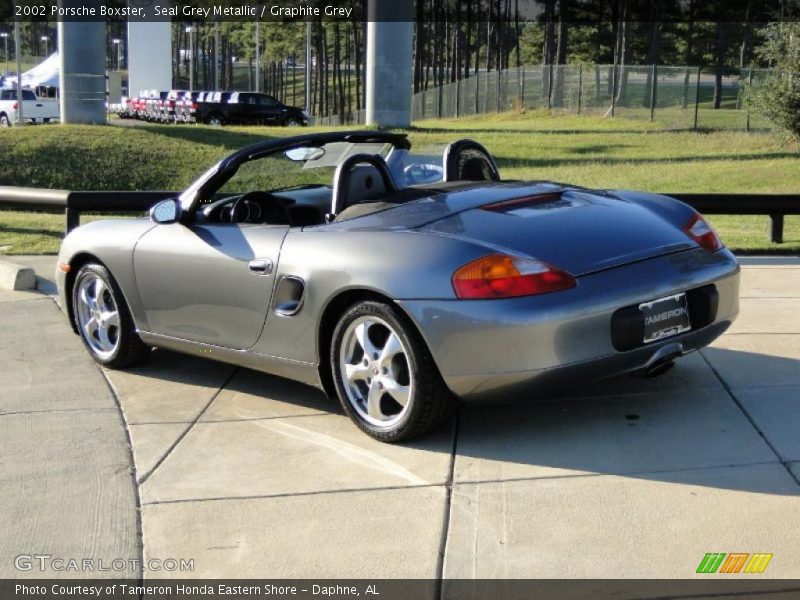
{"x": 584, "y": 150}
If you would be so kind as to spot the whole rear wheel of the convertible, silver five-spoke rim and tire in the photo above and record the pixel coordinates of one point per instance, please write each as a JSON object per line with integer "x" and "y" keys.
{"x": 385, "y": 376}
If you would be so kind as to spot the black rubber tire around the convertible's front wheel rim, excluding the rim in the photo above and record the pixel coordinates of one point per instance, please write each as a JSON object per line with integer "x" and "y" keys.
{"x": 130, "y": 349}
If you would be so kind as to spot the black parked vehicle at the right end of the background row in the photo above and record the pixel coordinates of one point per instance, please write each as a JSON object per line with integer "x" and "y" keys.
{"x": 248, "y": 107}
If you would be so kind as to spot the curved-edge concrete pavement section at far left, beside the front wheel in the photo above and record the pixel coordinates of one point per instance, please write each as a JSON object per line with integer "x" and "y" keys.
{"x": 66, "y": 487}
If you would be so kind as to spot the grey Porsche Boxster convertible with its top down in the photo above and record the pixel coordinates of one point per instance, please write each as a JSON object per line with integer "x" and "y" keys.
{"x": 400, "y": 282}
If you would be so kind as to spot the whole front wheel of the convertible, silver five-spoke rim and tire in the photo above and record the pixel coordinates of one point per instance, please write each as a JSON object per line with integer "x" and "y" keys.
{"x": 103, "y": 319}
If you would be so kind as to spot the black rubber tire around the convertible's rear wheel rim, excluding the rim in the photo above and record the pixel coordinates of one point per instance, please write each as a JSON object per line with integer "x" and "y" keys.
{"x": 430, "y": 403}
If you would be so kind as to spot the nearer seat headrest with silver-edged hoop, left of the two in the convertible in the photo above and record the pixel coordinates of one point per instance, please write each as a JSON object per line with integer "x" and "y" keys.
{"x": 360, "y": 178}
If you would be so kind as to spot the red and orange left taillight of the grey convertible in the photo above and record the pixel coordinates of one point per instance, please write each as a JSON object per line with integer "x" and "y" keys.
{"x": 503, "y": 276}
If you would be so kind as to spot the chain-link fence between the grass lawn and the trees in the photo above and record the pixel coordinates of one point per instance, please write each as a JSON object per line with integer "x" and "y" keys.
{"x": 677, "y": 97}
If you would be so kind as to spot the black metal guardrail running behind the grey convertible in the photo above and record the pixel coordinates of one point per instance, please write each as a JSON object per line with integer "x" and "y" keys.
{"x": 73, "y": 203}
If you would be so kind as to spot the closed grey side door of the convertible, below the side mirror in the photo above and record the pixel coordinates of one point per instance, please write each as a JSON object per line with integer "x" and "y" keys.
{"x": 210, "y": 283}
